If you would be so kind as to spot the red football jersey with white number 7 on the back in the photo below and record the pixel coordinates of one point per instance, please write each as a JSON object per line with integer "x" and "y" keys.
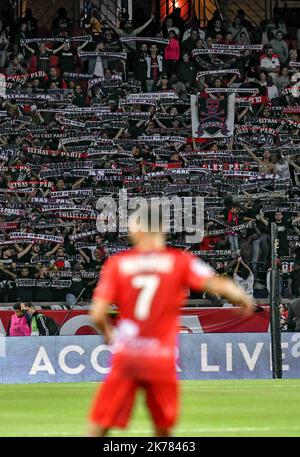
{"x": 149, "y": 288}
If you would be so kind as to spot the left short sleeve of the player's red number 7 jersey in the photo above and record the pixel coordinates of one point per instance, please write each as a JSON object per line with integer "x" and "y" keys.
{"x": 107, "y": 286}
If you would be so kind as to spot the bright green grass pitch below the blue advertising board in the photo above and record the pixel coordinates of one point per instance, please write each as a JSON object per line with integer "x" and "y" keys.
{"x": 209, "y": 408}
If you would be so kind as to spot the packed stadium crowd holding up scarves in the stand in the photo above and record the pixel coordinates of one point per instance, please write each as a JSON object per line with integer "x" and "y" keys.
{"x": 87, "y": 110}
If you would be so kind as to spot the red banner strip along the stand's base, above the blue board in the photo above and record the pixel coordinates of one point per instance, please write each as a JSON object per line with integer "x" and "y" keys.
{"x": 193, "y": 320}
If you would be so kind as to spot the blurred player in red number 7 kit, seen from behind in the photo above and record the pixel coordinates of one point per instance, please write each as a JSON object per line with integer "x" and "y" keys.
{"x": 149, "y": 284}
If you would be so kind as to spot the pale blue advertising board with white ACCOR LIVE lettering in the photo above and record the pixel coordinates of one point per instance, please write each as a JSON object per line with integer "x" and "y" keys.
{"x": 201, "y": 356}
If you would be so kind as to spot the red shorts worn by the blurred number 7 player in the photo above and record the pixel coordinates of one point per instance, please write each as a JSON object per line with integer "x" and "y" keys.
{"x": 114, "y": 401}
